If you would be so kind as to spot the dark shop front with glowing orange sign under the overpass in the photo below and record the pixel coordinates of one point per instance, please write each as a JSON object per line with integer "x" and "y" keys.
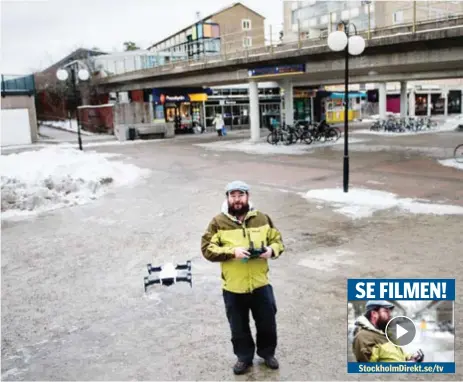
{"x": 183, "y": 107}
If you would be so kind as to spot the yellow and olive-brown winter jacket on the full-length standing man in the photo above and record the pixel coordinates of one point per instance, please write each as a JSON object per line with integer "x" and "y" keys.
{"x": 225, "y": 233}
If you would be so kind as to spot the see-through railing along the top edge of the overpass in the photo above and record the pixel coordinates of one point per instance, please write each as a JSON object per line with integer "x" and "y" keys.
{"x": 270, "y": 40}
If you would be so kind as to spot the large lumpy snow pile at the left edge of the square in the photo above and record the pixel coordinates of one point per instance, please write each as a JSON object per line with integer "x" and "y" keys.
{"x": 54, "y": 177}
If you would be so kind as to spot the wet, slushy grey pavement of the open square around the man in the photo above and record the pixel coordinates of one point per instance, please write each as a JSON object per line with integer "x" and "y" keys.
{"x": 73, "y": 302}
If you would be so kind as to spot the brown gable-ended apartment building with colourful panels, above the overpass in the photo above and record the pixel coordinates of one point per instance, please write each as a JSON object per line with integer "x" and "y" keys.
{"x": 228, "y": 30}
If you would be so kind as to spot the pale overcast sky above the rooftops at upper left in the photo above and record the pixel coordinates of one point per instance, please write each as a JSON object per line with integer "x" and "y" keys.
{"x": 37, "y": 33}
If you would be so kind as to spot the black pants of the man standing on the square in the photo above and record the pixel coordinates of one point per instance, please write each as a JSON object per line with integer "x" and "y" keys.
{"x": 261, "y": 302}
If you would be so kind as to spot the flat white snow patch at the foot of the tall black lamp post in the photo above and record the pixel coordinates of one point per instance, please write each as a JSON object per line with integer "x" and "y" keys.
{"x": 360, "y": 203}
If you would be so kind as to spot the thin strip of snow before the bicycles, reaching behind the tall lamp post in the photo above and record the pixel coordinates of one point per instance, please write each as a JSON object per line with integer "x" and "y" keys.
{"x": 264, "y": 148}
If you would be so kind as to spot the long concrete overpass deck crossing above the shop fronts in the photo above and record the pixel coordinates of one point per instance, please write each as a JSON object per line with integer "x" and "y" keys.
{"x": 433, "y": 51}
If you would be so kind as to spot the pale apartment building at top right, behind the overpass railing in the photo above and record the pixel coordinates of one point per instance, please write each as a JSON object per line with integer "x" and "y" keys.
{"x": 316, "y": 18}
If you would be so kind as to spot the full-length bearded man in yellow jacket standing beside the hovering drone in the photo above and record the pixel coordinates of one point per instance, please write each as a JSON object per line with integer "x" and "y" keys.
{"x": 245, "y": 283}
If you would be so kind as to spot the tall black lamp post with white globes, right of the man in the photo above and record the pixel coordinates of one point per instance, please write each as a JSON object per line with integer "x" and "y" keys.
{"x": 351, "y": 44}
